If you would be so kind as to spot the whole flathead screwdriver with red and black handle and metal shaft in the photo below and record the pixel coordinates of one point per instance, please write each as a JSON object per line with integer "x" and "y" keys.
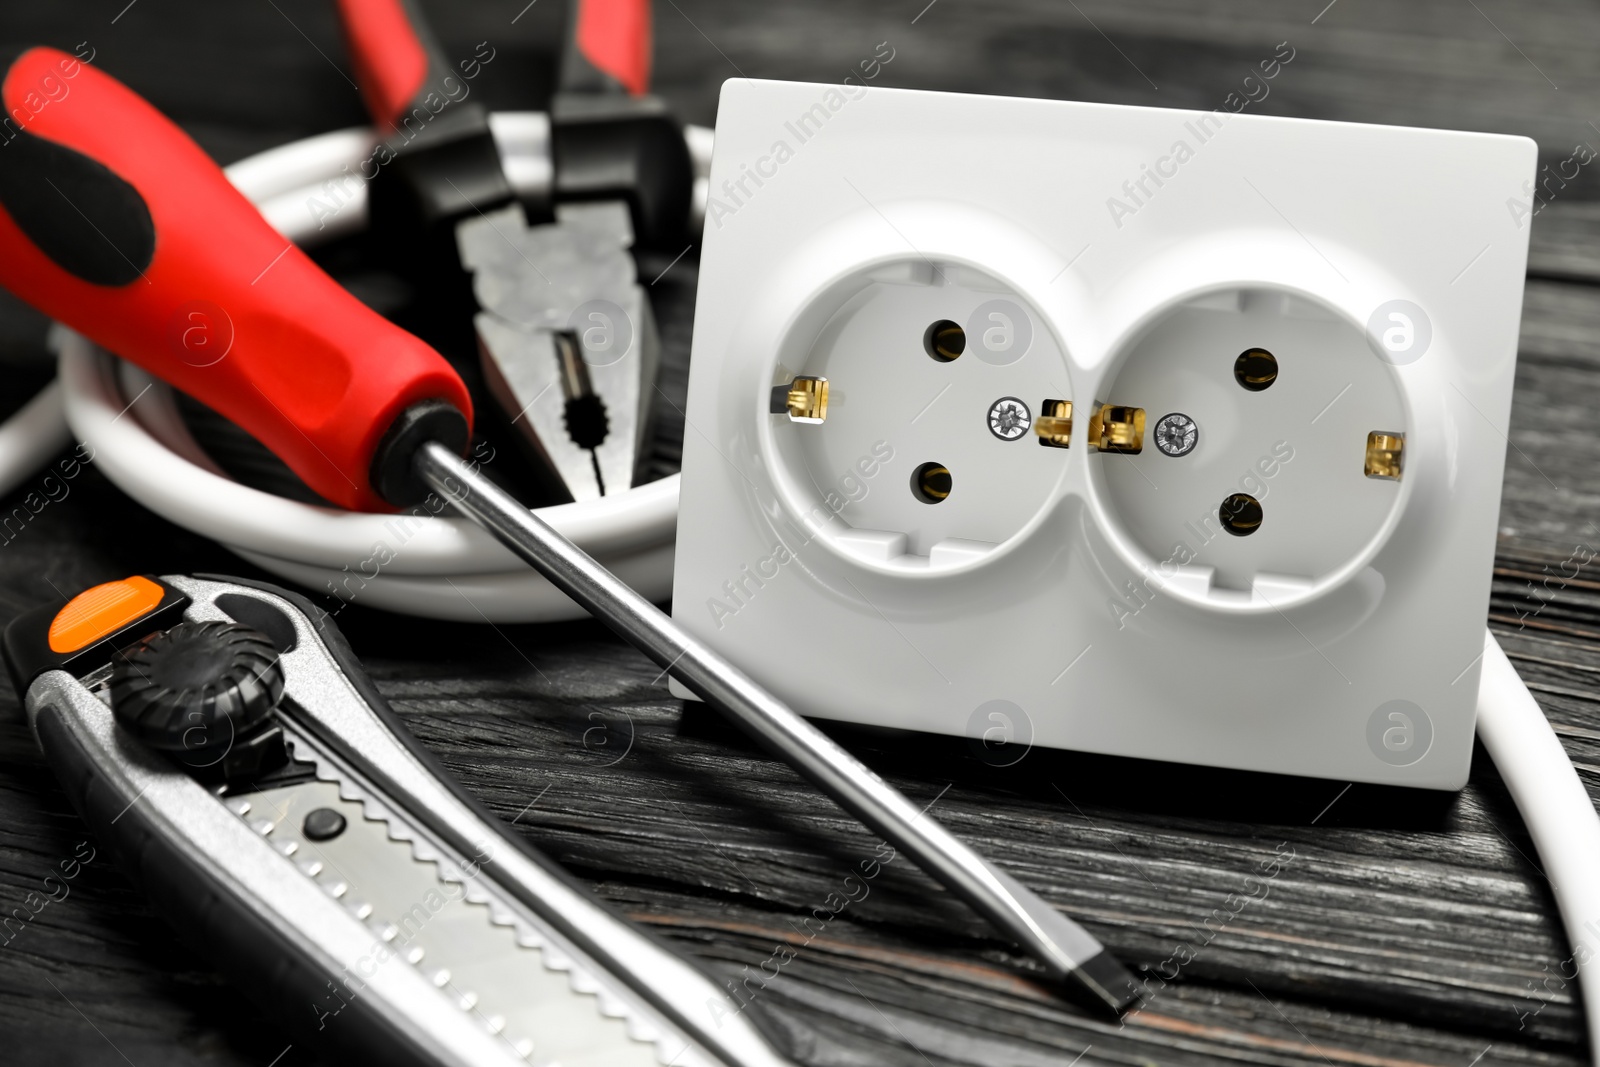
{"x": 114, "y": 223}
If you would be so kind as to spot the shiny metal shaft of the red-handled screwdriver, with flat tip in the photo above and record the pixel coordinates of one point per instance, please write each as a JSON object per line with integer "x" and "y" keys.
{"x": 1068, "y": 951}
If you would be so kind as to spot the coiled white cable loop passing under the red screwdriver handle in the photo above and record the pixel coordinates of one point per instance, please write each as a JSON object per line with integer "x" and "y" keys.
{"x": 444, "y": 569}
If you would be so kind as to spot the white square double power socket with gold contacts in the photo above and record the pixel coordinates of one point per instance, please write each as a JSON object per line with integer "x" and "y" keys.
{"x": 1146, "y": 433}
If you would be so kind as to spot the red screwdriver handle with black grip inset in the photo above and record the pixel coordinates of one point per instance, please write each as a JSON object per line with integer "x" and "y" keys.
{"x": 114, "y": 223}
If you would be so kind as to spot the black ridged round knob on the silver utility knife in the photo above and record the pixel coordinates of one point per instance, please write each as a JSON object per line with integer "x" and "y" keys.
{"x": 196, "y": 687}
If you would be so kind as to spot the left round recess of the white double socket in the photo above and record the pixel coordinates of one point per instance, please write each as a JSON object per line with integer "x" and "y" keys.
{"x": 918, "y": 468}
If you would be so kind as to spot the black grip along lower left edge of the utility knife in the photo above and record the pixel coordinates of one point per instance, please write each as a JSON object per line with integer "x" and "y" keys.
{"x": 215, "y": 921}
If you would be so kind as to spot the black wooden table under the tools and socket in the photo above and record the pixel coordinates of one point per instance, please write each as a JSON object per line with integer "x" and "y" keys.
{"x": 1399, "y": 927}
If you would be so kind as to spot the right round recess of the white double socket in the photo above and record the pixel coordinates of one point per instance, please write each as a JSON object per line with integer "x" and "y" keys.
{"x": 1292, "y": 484}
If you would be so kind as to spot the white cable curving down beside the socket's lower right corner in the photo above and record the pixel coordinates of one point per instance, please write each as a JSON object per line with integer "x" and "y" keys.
{"x": 1558, "y": 812}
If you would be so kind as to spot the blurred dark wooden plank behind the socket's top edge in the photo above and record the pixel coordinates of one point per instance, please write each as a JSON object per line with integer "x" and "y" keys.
{"x": 1412, "y": 65}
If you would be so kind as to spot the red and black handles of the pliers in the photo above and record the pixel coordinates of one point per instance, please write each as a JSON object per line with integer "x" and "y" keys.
{"x": 446, "y": 166}
